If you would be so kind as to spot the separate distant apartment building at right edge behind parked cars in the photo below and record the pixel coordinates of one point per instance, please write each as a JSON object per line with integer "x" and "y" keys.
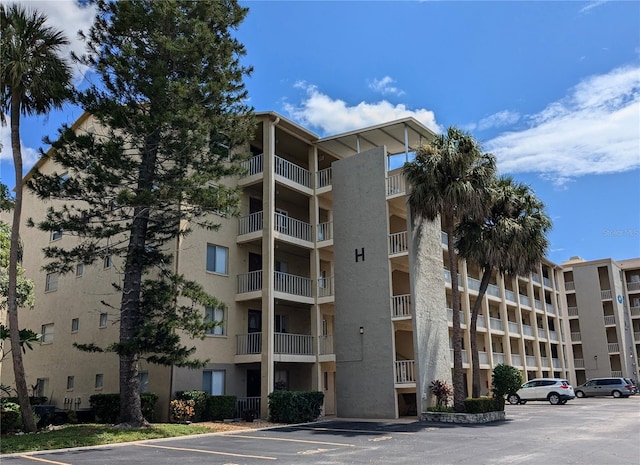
{"x": 603, "y": 308}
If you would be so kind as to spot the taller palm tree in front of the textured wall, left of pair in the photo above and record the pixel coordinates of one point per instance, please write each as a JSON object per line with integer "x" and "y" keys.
{"x": 448, "y": 179}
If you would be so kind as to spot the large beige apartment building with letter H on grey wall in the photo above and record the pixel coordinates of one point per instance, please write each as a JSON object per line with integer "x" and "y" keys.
{"x": 329, "y": 286}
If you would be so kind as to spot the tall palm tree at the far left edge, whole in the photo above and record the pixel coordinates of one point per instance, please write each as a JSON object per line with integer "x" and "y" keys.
{"x": 33, "y": 80}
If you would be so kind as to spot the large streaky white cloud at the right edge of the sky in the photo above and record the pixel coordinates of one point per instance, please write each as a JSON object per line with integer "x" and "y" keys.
{"x": 595, "y": 129}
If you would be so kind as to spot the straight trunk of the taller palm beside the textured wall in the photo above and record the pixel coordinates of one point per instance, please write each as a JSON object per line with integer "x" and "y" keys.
{"x": 458, "y": 374}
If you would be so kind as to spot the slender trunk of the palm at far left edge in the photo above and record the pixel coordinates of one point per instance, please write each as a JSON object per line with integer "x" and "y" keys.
{"x": 28, "y": 422}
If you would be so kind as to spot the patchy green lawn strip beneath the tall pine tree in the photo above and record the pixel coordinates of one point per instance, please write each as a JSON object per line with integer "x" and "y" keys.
{"x": 91, "y": 435}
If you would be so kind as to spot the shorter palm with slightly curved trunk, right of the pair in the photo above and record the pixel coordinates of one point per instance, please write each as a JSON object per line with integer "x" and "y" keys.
{"x": 511, "y": 239}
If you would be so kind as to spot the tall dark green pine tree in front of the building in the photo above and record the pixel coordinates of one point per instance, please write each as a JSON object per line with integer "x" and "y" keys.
{"x": 171, "y": 122}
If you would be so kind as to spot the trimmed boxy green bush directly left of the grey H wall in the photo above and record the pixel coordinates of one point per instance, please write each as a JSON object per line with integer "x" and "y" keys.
{"x": 295, "y": 406}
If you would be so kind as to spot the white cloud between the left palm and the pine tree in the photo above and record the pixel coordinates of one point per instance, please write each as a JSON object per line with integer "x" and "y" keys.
{"x": 69, "y": 17}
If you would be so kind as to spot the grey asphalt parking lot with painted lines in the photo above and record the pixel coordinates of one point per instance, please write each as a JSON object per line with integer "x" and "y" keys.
{"x": 598, "y": 431}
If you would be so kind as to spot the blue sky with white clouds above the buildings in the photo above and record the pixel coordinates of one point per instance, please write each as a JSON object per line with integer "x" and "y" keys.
{"x": 551, "y": 88}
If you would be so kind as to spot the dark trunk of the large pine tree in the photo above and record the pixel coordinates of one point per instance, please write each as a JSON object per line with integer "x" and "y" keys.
{"x": 130, "y": 317}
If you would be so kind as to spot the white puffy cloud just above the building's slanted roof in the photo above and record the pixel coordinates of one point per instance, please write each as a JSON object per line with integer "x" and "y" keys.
{"x": 333, "y": 116}
